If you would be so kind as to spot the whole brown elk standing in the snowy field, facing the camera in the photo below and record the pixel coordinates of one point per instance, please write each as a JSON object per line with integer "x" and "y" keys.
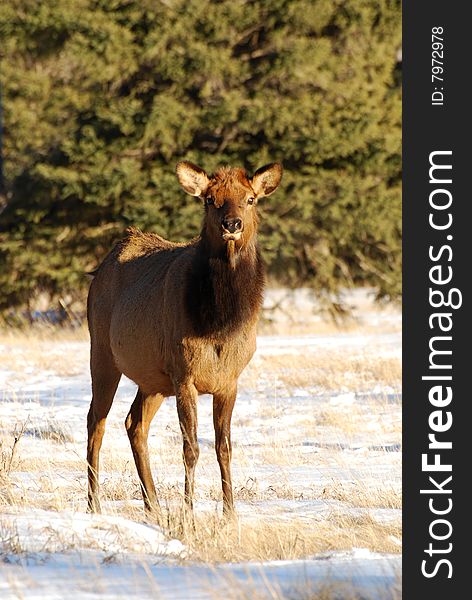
{"x": 179, "y": 319}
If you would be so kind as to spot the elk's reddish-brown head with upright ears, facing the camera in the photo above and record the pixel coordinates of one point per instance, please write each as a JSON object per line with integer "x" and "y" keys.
{"x": 230, "y": 198}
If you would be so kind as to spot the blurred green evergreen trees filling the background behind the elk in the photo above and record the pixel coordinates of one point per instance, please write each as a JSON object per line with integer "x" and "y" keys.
{"x": 102, "y": 97}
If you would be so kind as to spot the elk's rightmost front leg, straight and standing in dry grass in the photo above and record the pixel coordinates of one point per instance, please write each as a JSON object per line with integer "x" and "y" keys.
{"x": 223, "y": 404}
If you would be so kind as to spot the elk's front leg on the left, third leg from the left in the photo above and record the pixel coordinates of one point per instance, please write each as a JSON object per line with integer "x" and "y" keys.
{"x": 187, "y": 397}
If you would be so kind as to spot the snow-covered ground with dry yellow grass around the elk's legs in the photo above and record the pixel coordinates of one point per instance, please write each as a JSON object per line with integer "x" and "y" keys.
{"x": 316, "y": 472}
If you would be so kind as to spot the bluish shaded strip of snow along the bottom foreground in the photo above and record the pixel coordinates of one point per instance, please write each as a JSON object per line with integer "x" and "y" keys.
{"x": 369, "y": 575}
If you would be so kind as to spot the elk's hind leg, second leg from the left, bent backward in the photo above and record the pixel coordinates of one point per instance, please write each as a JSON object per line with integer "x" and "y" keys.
{"x": 137, "y": 424}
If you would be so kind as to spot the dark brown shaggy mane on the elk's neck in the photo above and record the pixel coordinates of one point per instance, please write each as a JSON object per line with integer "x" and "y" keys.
{"x": 220, "y": 300}
